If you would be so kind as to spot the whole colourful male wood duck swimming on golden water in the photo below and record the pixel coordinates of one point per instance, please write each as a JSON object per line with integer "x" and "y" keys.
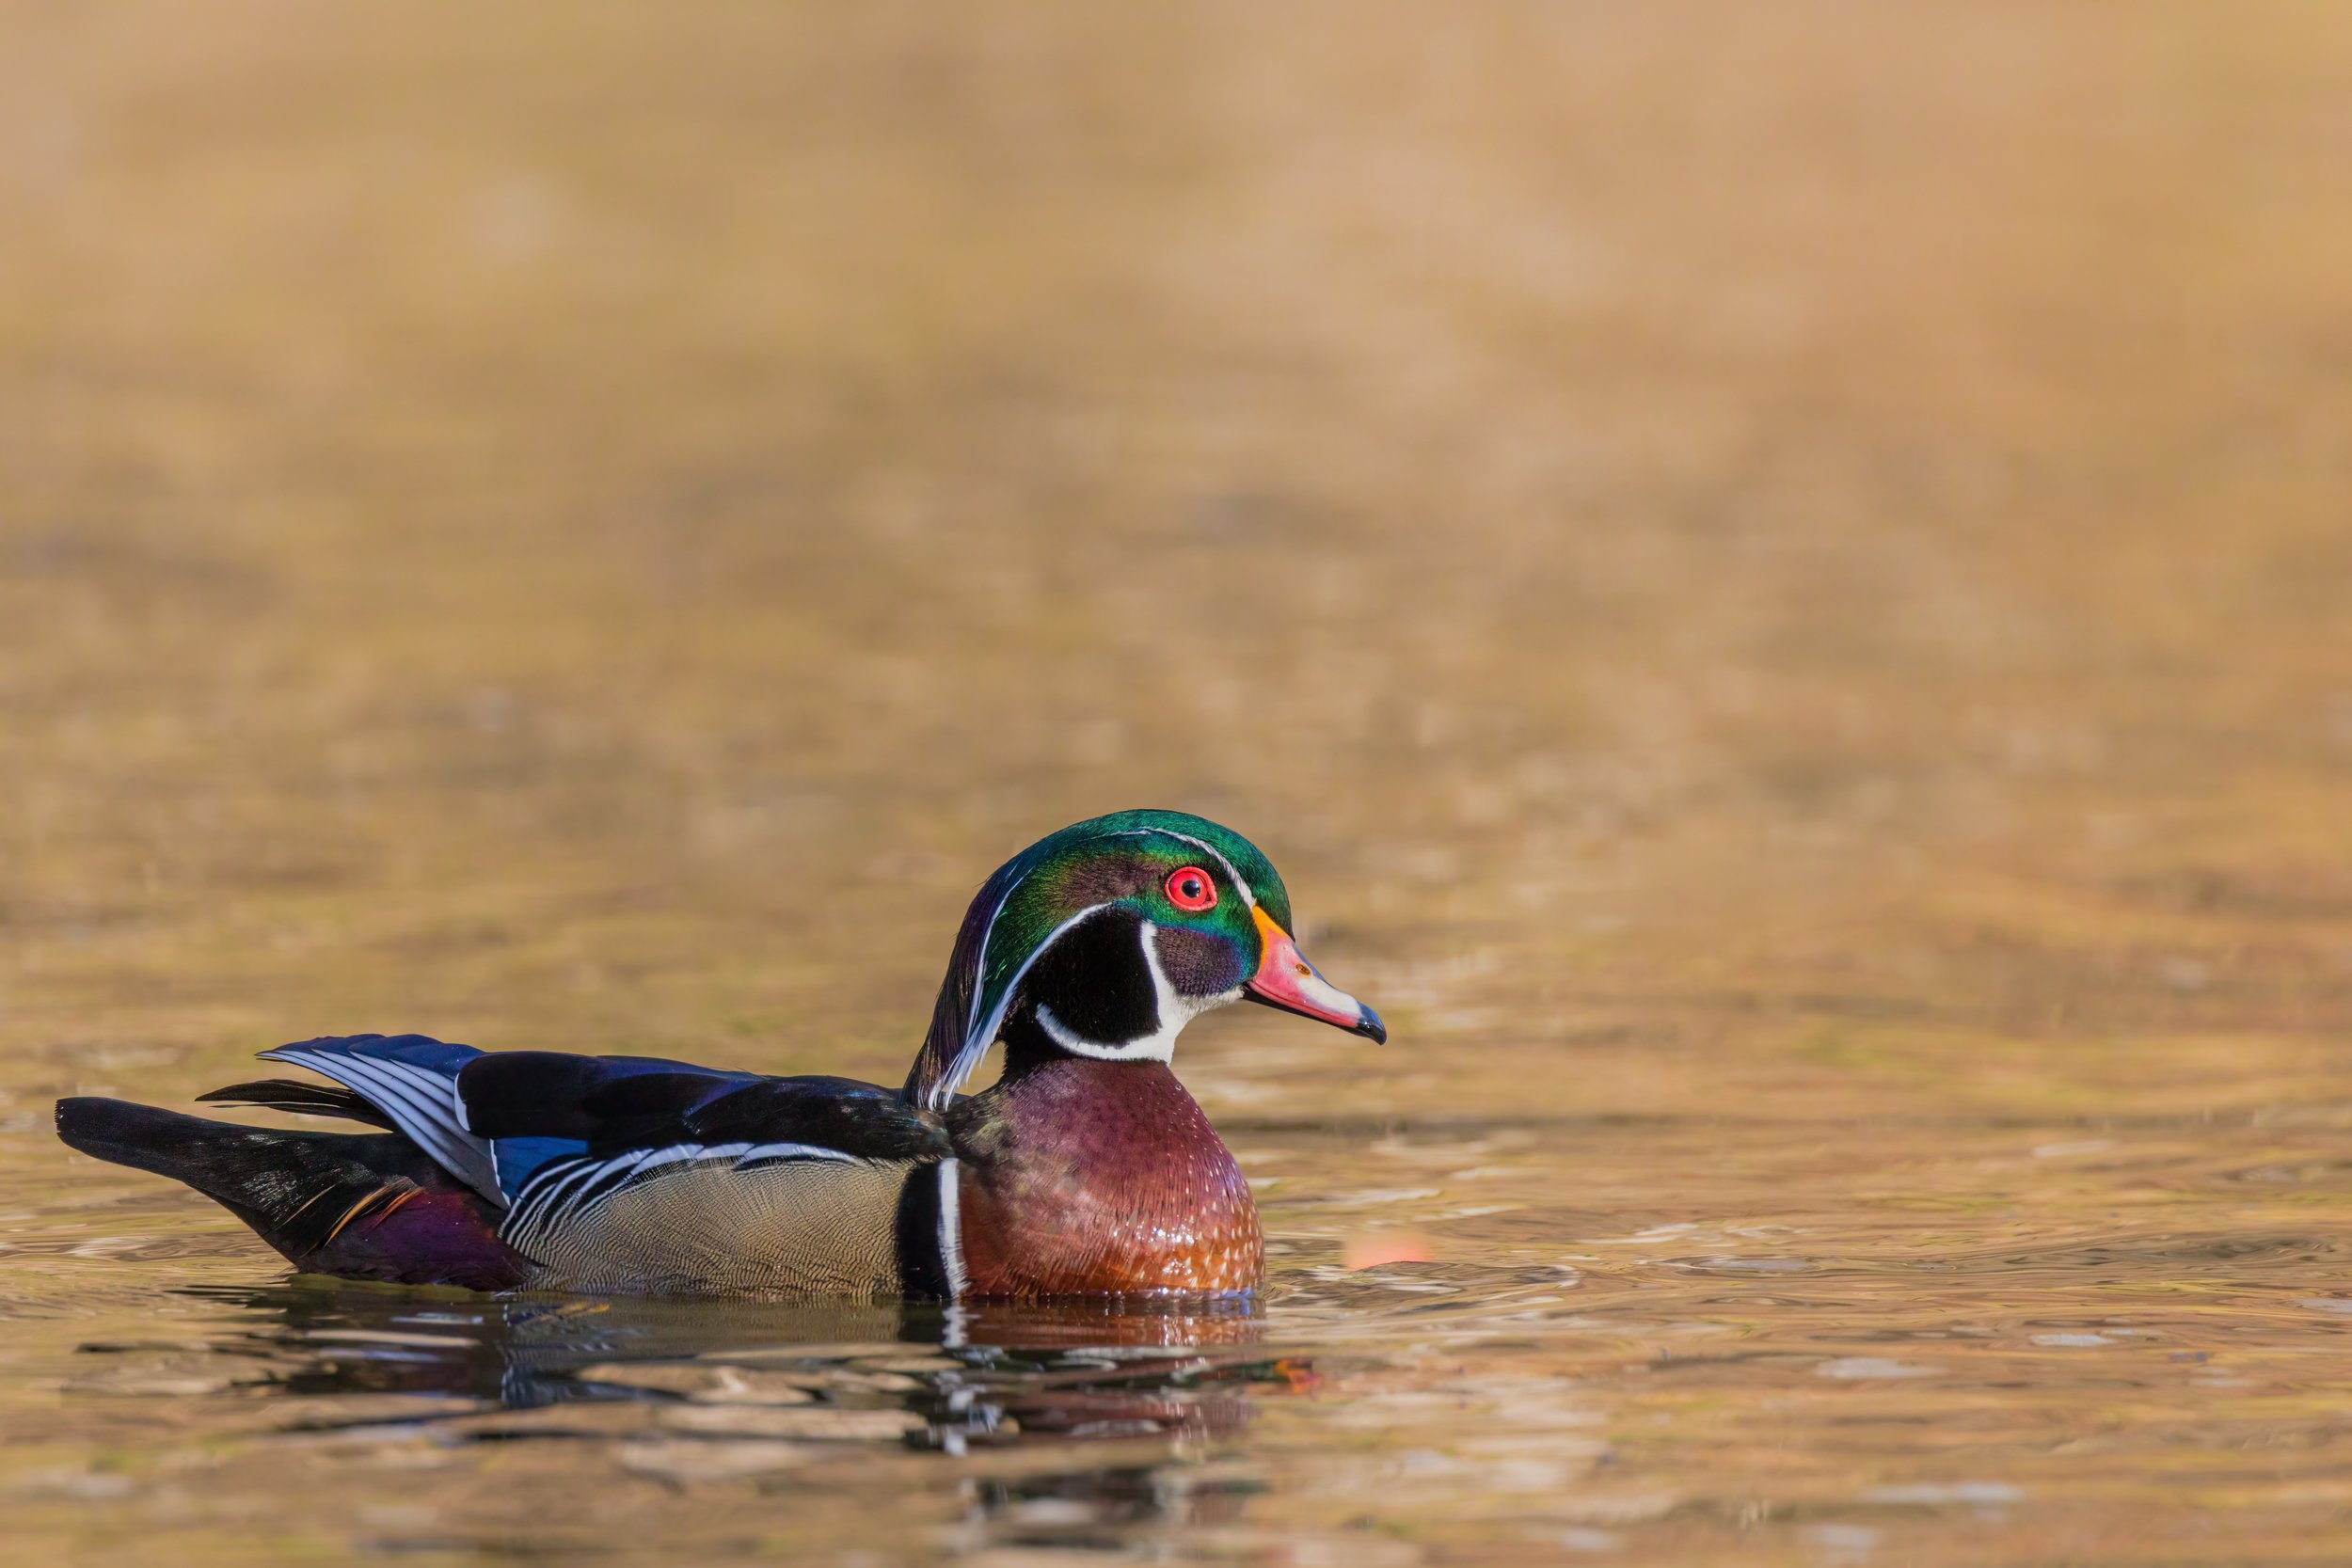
{"x": 1085, "y": 1170}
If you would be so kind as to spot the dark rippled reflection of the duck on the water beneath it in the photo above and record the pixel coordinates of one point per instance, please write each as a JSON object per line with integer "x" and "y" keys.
{"x": 1116, "y": 1369}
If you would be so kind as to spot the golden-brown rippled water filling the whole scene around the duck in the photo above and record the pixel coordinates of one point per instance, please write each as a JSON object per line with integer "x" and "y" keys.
{"x": 1772, "y": 582}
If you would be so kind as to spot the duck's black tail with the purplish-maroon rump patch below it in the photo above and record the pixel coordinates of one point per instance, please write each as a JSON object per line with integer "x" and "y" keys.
{"x": 319, "y": 1198}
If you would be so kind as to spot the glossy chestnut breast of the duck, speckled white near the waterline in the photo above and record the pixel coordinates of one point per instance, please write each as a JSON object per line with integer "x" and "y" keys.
{"x": 1088, "y": 1177}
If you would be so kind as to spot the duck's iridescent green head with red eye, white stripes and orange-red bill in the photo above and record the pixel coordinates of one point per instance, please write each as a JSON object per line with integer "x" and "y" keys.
{"x": 1114, "y": 934}
